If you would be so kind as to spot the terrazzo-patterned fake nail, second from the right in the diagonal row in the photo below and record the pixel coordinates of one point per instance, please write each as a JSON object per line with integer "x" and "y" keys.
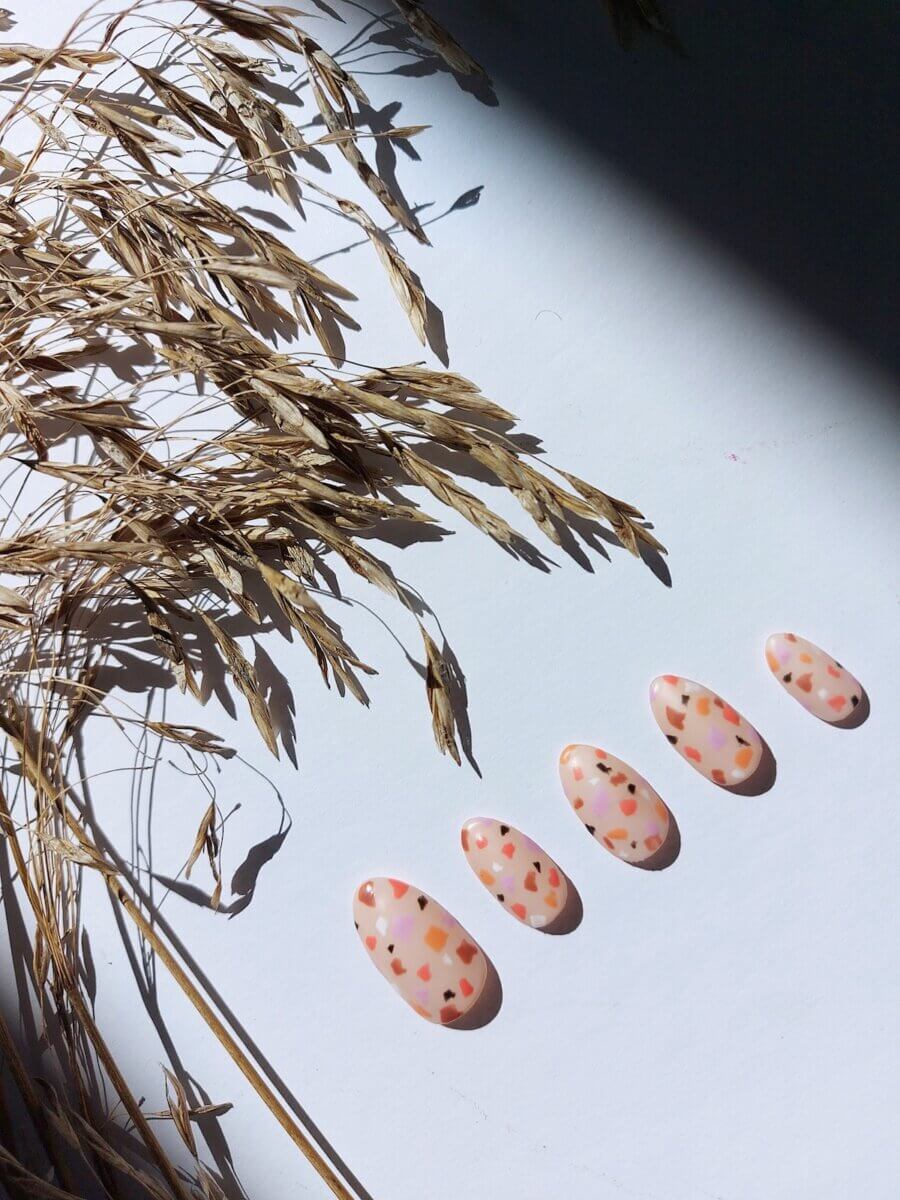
{"x": 711, "y": 735}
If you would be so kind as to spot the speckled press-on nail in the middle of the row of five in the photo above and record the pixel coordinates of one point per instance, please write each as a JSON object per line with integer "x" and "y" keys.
{"x": 615, "y": 805}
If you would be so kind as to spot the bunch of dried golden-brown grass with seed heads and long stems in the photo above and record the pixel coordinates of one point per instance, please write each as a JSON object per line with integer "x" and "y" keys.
{"x": 118, "y": 244}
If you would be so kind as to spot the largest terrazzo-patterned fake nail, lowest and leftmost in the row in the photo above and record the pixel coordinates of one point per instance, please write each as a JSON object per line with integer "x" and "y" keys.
{"x": 421, "y": 950}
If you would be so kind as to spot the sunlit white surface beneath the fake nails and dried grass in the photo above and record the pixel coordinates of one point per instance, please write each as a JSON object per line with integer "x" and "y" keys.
{"x": 725, "y": 1029}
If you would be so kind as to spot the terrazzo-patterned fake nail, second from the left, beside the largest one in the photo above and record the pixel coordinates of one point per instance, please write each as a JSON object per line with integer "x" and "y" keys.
{"x": 515, "y": 871}
